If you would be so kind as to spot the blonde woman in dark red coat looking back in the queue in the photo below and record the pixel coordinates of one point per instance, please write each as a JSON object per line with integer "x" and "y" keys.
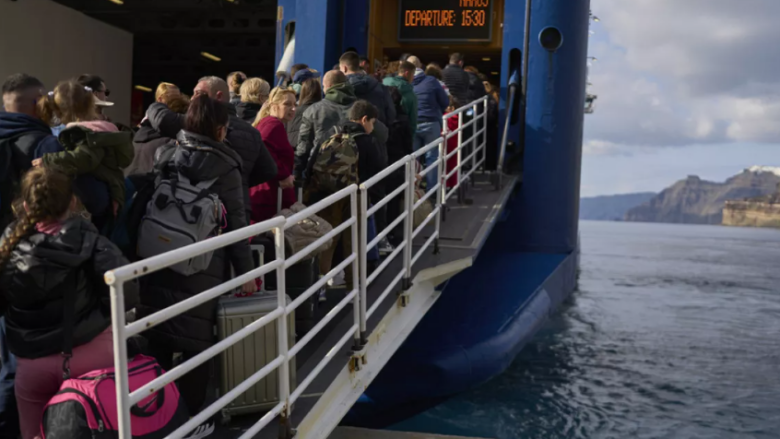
{"x": 278, "y": 110}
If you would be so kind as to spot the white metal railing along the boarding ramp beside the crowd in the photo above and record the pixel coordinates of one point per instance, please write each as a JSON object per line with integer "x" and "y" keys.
{"x": 360, "y": 212}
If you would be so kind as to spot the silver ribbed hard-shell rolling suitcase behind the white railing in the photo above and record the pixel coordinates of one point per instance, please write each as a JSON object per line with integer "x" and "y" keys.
{"x": 251, "y": 354}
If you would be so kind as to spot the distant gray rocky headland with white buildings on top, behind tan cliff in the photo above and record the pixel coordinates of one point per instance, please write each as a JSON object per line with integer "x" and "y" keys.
{"x": 696, "y": 201}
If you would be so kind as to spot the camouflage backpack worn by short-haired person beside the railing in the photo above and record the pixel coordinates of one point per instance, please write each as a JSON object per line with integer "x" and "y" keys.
{"x": 336, "y": 163}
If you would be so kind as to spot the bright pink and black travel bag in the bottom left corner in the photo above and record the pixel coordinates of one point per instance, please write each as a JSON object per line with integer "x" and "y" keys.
{"x": 85, "y": 407}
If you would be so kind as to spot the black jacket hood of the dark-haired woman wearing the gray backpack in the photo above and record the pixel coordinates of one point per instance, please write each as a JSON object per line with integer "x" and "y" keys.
{"x": 200, "y": 158}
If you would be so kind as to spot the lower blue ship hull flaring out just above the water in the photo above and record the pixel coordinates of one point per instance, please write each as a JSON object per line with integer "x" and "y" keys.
{"x": 484, "y": 317}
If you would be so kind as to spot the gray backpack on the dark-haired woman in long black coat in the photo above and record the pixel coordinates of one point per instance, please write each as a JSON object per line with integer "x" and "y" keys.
{"x": 180, "y": 214}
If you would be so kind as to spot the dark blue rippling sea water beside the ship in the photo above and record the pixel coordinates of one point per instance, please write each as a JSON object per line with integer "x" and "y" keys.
{"x": 673, "y": 333}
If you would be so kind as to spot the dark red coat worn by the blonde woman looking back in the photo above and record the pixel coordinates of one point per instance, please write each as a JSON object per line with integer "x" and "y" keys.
{"x": 264, "y": 197}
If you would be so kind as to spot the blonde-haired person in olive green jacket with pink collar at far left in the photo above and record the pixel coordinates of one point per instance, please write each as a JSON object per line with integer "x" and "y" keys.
{"x": 92, "y": 147}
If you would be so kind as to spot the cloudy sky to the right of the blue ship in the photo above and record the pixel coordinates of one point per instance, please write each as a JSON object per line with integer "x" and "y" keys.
{"x": 676, "y": 73}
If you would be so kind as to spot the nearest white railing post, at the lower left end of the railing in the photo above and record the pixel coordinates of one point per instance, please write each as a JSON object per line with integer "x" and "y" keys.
{"x": 120, "y": 356}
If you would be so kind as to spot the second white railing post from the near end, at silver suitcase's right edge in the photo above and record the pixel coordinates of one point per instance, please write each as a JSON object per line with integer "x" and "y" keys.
{"x": 281, "y": 325}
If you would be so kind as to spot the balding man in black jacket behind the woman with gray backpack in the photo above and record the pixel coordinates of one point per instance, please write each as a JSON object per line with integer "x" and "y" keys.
{"x": 258, "y": 165}
